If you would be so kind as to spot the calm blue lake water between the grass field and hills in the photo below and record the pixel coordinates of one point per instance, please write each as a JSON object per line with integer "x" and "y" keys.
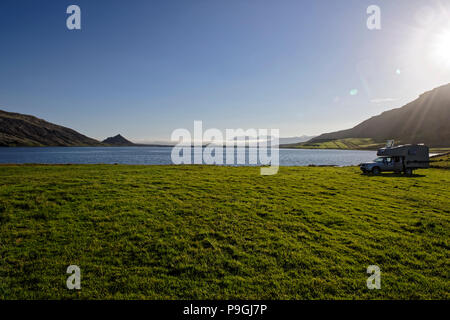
{"x": 162, "y": 155}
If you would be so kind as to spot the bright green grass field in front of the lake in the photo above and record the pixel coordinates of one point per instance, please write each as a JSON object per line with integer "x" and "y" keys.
{"x": 204, "y": 232}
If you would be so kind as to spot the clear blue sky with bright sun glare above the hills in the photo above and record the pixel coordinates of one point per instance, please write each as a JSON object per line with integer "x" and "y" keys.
{"x": 145, "y": 68}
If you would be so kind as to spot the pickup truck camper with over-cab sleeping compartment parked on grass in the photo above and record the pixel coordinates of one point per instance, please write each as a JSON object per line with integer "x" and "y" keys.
{"x": 405, "y": 158}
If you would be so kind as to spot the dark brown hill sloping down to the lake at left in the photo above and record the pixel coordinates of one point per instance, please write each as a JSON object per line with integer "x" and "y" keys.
{"x": 24, "y": 130}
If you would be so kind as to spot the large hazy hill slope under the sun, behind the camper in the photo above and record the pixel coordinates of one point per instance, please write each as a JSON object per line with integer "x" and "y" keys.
{"x": 425, "y": 120}
